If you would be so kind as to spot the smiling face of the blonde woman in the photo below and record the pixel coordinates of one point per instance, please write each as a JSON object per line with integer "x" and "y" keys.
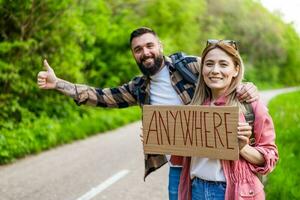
{"x": 218, "y": 71}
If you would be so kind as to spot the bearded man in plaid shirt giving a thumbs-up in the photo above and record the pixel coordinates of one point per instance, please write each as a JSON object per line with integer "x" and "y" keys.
{"x": 160, "y": 84}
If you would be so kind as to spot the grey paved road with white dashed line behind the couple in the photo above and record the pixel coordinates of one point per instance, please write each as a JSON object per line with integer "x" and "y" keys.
{"x": 106, "y": 166}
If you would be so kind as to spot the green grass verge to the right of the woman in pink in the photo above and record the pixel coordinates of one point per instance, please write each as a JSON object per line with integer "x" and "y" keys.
{"x": 283, "y": 181}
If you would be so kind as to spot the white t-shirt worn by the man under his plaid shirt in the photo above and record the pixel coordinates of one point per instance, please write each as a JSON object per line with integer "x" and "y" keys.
{"x": 163, "y": 93}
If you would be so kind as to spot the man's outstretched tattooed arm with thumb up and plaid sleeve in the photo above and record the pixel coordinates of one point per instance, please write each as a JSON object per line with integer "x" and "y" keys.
{"x": 83, "y": 94}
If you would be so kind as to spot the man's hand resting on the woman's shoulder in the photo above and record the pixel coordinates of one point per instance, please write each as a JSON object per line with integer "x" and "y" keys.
{"x": 247, "y": 92}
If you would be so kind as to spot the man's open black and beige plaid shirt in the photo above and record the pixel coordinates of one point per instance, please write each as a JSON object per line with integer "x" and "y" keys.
{"x": 137, "y": 92}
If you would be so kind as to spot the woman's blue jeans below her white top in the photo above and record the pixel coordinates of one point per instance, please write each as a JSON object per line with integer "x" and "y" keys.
{"x": 208, "y": 190}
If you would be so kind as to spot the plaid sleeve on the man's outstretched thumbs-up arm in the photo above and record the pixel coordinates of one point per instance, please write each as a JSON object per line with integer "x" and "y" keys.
{"x": 118, "y": 97}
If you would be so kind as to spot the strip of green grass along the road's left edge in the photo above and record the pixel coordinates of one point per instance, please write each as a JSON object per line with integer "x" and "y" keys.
{"x": 44, "y": 132}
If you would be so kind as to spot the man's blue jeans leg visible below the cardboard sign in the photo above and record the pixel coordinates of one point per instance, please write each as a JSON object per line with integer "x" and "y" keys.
{"x": 174, "y": 177}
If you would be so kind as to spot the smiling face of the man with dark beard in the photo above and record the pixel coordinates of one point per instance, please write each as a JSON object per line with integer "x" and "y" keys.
{"x": 147, "y": 52}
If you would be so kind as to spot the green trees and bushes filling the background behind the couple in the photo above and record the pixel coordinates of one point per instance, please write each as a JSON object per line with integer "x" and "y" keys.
{"x": 87, "y": 42}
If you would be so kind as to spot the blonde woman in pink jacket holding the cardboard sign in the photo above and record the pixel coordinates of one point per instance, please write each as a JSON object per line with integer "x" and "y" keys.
{"x": 222, "y": 71}
